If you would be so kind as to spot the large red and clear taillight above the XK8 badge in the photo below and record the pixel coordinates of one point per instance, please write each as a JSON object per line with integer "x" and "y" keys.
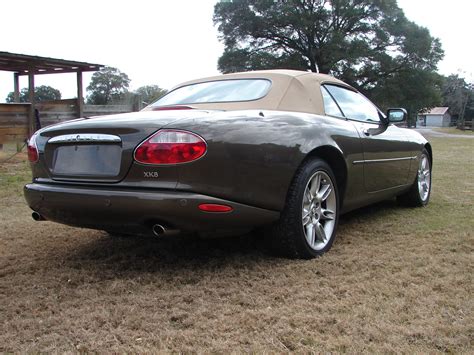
{"x": 170, "y": 147}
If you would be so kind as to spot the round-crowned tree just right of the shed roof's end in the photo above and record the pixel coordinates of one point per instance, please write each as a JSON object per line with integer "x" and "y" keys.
{"x": 109, "y": 85}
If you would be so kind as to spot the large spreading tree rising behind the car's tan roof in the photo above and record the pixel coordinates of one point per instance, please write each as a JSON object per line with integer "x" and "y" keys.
{"x": 368, "y": 43}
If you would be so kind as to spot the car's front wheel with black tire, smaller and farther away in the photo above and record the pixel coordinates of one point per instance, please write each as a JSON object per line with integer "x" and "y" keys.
{"x": 416, "y": 196}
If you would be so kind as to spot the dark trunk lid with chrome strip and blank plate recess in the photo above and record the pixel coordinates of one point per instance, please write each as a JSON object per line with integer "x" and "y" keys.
{"x": 101, "y": 149}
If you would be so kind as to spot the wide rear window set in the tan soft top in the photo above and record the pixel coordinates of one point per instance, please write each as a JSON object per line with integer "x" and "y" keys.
{"x": 217, "y": 91}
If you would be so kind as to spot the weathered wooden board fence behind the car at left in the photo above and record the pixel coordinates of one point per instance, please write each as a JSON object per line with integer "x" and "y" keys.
{"x": 14, "y": 118}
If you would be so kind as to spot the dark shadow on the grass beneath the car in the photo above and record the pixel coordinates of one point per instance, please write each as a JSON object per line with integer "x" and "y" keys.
{"x": 165, "y": 254}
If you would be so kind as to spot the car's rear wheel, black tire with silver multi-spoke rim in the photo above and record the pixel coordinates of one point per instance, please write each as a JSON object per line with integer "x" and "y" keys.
{"x": 288, "y": 236}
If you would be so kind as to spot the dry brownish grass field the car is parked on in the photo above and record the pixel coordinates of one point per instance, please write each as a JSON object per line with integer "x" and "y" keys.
{"x": 396, "y": 280}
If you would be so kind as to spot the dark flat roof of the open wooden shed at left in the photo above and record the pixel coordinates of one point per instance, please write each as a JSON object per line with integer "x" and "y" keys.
{"x": 25, "y": 64}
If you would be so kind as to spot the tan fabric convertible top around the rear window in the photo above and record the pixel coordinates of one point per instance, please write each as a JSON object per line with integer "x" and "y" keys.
{"x": 291, "y": 90}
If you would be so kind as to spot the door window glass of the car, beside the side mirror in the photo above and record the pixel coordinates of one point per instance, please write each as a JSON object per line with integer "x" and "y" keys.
{"x": 354, "y": 105}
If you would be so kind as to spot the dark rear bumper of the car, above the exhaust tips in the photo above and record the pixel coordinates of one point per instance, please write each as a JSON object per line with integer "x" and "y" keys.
{"x": 137, "y": 209}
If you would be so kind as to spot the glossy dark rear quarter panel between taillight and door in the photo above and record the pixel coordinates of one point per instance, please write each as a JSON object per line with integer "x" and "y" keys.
{"x": 252, "y": 155}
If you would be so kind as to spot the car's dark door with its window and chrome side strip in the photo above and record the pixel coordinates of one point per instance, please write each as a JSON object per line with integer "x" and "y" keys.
{"x": 387, "y": 154}
